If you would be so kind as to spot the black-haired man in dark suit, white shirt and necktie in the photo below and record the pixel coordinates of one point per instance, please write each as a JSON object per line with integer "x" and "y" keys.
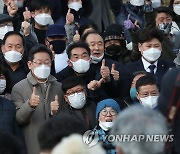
{"x": 150, "y": 46}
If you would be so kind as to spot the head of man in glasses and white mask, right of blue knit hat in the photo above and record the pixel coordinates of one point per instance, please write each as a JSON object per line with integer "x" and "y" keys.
{"x": 147, "y": 91}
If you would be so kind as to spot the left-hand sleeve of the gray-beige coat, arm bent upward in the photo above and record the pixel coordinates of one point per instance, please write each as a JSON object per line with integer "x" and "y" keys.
{"x": 24, "y": 111}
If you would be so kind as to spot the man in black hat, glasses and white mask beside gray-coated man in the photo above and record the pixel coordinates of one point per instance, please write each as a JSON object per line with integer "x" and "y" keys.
{"x": 77, "y": 103}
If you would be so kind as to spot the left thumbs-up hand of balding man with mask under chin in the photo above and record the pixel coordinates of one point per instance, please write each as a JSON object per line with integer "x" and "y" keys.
{"x": 105, "y": 72}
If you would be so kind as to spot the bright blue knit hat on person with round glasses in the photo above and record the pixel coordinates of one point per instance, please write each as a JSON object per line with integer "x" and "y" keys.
{"x": 107, "y": 103}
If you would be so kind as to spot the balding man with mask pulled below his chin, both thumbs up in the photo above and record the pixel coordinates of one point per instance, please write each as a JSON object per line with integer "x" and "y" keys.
{"x": 105, "y": 69}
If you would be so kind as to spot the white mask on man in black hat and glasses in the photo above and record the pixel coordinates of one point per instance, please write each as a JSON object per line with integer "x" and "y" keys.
{"x": 77, "y": 100}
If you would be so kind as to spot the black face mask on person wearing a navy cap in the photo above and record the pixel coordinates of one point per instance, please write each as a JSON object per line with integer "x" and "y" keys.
{"x": 58, "y": 46}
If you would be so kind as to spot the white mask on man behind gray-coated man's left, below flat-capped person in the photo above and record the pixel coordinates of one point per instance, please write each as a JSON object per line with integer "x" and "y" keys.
{"x": 13, "y": 56}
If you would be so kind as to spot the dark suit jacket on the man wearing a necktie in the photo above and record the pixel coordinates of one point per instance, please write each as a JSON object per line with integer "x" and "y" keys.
{"x": 126, "y": 73}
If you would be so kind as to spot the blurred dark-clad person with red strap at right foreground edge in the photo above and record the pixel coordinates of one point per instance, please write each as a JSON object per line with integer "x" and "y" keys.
{"x": 170, "y": 95}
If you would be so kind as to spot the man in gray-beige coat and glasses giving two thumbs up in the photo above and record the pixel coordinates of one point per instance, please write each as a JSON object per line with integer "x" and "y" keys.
{"x": 37, "y": 97}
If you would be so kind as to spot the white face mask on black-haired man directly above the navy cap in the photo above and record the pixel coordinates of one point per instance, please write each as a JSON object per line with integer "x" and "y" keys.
{"x": 43, "y": 19}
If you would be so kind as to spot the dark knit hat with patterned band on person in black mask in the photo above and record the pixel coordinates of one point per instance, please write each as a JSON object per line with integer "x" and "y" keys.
{"x": 113, "y": 32}
